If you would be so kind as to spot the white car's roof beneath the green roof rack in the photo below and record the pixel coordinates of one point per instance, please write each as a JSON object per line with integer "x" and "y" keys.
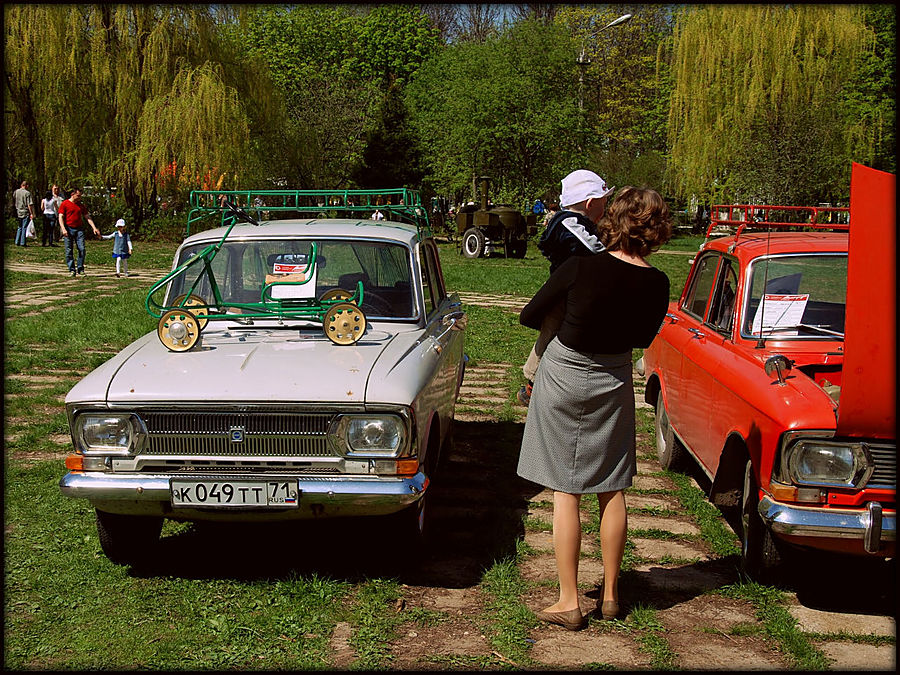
{"x": 402, "y": 233}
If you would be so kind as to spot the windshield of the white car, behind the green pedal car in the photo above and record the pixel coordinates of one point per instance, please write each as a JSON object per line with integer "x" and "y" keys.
{"x": 241, "y": 269}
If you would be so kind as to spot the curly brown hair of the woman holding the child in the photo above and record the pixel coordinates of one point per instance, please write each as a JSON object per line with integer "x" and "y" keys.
{"x": 637, "y": 222}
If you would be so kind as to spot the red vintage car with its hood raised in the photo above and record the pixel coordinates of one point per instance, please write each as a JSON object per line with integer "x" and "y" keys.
{"x": 775, "y": 372}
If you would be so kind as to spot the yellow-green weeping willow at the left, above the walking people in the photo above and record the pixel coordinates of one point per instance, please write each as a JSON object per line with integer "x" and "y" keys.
{"x": 114, "y": 93}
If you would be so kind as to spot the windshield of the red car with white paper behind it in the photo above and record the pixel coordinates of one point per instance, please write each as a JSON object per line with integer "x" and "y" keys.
{"x": 800, "y": 296}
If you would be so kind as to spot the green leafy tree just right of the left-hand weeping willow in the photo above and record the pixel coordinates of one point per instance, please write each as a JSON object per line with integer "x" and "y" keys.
{"x": 336, "y": 66}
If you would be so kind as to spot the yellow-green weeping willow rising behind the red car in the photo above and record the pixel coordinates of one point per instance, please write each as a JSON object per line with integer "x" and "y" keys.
{"x": 757, "y": 110}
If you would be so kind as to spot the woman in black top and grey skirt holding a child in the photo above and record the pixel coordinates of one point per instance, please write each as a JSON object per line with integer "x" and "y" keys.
{"x": 580, "y": 431}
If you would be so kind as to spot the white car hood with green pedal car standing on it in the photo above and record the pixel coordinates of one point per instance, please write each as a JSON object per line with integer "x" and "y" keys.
{"x": 254, "y": 366}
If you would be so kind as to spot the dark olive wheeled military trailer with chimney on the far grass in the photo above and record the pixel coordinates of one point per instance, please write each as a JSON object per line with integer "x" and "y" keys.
{"x": 493, "y": 228}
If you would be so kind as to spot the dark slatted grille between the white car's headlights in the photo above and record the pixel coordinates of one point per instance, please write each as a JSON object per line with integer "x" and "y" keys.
{"x": 232, "y": 434}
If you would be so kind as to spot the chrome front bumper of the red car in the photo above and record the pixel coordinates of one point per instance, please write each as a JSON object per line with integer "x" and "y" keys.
{"x": 872, "y": 526}
